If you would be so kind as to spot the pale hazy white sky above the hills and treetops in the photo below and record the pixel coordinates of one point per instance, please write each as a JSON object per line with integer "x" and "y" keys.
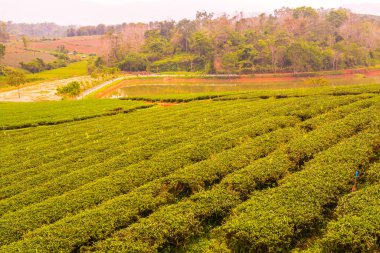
{"x": 91, "y": 12}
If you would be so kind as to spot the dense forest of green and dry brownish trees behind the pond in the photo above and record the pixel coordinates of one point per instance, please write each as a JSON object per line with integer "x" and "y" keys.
{"x": 290, "y": 40}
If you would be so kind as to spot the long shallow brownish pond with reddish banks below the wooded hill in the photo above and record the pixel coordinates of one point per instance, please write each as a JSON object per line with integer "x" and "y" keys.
{"x": 143, "y": 87}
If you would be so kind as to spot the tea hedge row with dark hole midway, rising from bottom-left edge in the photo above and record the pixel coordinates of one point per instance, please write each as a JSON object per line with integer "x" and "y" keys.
{"x": 124, "y": 209}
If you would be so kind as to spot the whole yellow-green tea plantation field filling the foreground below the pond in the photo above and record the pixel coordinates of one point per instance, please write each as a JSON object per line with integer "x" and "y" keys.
{"x": 260, "y": 171}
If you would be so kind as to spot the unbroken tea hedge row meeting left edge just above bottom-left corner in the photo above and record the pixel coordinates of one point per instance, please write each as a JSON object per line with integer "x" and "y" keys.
{"x": 123, "y": 181}
